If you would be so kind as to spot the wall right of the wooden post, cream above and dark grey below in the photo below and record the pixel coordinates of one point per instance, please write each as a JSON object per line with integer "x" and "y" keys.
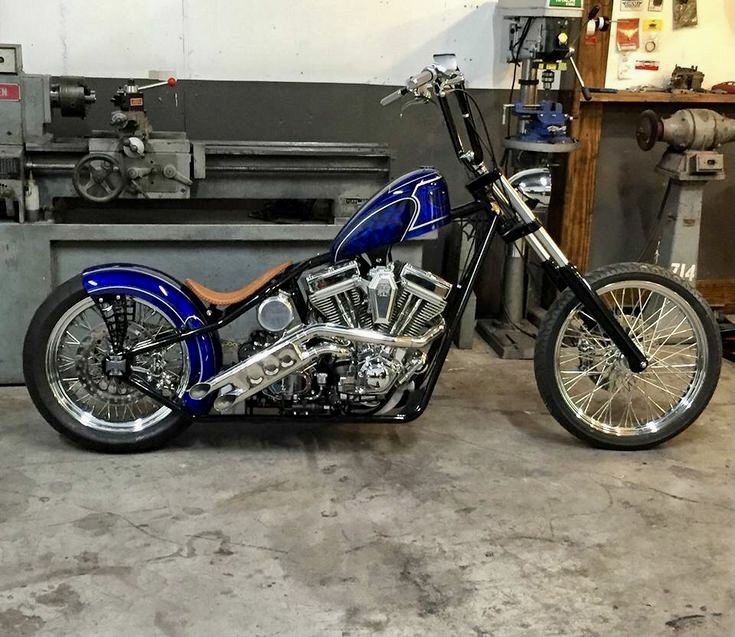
{"x": 628, "y": 189}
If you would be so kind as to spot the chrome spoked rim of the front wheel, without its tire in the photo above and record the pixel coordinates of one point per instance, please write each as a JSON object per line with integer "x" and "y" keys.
{"x": 594, "y": 379}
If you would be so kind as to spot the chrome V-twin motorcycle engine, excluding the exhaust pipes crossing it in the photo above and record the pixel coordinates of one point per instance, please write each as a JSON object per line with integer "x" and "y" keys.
{"x": 398, "y": 299}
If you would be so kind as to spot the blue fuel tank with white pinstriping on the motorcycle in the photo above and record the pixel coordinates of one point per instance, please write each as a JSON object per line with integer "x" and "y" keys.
{"x": 408, "y": 207}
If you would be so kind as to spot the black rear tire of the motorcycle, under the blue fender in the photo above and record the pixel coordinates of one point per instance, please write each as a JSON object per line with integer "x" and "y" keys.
{"x": 44, "y": 320}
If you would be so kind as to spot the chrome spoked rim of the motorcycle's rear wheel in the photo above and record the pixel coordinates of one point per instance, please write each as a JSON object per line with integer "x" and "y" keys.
{"x": 74, "y": 353}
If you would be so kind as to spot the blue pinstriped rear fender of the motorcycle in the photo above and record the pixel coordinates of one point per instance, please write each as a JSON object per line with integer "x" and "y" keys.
{"x": 170, "y": 297}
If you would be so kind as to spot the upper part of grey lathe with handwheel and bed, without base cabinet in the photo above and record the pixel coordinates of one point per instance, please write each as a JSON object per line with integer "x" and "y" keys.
{"x": 131, "y": 160}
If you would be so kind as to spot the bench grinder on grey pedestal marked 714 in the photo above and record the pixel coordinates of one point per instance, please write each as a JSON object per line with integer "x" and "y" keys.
{"x": 693, "y": 158}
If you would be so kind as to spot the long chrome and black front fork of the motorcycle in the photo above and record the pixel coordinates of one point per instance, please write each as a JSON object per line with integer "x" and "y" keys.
{"x": 526, "y": 226}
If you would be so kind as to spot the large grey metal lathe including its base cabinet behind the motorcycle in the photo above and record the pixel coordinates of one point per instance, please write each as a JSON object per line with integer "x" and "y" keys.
{"x": 103, "y": 195}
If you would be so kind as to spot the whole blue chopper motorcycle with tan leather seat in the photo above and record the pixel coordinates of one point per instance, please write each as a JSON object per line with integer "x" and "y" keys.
{"x": 123, "y": 357}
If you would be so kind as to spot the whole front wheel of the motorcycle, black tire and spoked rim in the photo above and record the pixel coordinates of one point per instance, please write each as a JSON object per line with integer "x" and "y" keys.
{"x": 585, "y": 381}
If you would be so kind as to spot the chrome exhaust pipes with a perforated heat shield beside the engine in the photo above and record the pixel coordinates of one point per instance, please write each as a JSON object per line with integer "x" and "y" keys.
{"x": 290, "y": 355}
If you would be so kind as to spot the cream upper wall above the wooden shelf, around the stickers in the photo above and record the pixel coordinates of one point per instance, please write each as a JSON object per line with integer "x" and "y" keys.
{"x": 710, "y": 45}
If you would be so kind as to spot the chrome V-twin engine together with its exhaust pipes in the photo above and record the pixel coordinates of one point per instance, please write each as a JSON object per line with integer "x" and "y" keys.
{"x": 364, "y": 338}
